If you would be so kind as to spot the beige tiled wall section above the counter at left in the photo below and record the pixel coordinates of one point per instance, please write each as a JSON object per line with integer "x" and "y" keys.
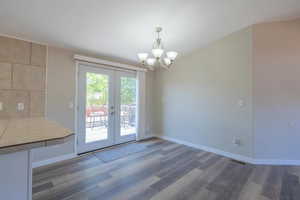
{"x": 22, "y": 78}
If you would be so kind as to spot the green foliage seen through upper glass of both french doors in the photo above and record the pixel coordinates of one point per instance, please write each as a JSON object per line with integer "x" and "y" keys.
{"x": 97, "y": 90}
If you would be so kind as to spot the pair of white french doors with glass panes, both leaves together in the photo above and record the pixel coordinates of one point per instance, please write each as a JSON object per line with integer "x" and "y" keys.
{"x": 106, "y": 107}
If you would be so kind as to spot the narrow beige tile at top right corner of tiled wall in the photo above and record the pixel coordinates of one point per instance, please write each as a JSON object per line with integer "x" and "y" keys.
{"x": 38, "y": 55}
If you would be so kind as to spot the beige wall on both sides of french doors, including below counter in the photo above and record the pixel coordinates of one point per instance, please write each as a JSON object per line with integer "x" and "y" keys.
{"x": 61, "y": 91}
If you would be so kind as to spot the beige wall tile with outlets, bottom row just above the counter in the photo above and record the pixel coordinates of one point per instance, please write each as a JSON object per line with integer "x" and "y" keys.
{"x": 10, "y": 100}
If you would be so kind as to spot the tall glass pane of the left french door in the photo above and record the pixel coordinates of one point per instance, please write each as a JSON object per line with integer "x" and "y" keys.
{"x": 96, "y": 107}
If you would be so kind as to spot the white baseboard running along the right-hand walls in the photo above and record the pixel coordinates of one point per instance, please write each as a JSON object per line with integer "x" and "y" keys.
{"x": 232, "y": 155}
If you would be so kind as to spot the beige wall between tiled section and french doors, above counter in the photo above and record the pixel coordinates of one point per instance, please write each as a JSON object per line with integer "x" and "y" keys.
{"x": 61, "y": 86}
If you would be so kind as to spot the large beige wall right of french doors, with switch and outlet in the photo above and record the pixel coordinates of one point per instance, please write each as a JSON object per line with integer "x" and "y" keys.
{"x": 197, "y": 101}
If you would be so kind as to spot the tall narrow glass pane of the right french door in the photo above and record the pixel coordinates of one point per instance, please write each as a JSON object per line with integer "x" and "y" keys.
{"x": 128, "y": 106}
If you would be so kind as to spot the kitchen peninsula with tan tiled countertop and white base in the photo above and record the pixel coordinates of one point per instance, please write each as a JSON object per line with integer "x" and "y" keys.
{"x": 17, "y": 138}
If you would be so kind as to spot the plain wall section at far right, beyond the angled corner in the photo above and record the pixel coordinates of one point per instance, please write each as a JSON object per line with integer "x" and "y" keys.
{"x": 276, "y": 48}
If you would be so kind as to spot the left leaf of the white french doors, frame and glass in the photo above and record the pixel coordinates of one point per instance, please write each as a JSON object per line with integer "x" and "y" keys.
{"x": 95, "y": 108}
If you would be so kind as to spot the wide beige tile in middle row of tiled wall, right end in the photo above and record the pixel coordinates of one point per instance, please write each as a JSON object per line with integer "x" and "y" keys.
{"x": 27, "y": 77}
